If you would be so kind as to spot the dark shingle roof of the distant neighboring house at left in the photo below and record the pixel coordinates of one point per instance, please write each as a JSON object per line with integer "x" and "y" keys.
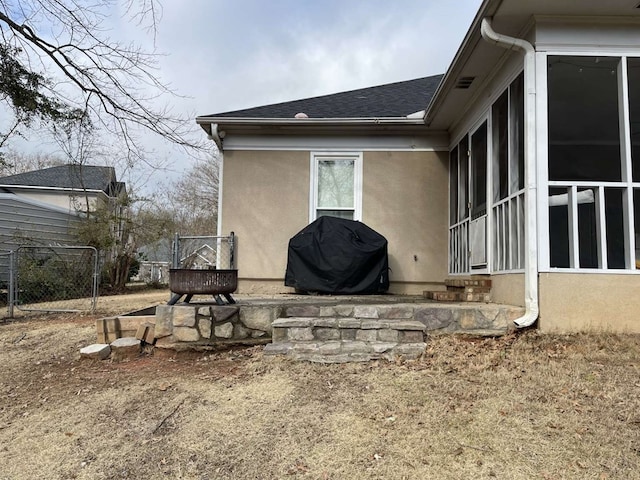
{"x": 82, "y": 177}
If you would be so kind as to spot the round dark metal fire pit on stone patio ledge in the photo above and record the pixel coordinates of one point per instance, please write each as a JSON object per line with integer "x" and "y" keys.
{"x": 219, "y": 283}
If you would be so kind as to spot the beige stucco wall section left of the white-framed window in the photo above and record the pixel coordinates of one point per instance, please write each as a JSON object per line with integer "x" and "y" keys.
{"x": 265, "y": 202}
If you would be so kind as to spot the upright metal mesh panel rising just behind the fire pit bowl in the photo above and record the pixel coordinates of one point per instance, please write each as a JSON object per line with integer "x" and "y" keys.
{"x": 204, "y": 252}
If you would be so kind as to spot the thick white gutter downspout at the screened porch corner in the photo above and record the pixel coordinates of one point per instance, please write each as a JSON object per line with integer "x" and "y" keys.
{"x": 532, "y": 308}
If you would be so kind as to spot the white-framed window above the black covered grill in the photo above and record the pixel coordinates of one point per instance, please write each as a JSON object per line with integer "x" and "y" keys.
{"x": 336, "y": 185}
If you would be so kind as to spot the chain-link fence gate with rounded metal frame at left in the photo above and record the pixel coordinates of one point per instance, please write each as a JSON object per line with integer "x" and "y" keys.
{"x": 54, "y": 279}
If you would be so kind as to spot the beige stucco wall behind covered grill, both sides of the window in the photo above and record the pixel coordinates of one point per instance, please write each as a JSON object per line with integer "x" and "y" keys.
{"x": 266, "y": 202}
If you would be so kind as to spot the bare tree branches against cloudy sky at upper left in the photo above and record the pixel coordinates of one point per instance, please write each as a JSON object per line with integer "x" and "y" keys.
{"x": 59, "y": 65}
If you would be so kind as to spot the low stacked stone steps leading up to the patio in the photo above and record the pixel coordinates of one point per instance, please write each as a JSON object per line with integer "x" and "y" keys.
{"x": 346, "y": 339}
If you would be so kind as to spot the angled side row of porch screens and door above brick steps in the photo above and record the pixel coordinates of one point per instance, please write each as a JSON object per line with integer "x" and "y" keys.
{"x": 499, "y": 211}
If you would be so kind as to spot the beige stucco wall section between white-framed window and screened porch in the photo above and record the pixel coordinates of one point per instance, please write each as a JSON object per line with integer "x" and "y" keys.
{"x": 405, "y": 199}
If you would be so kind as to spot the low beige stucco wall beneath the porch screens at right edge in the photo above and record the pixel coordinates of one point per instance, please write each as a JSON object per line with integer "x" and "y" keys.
{"x": 571, "y": 302}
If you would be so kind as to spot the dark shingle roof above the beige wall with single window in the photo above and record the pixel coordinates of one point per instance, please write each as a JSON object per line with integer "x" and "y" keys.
{"x": 397, "y": 99}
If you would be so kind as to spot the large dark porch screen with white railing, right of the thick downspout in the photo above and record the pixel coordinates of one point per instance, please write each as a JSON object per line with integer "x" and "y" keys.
{"x": 594, "y": 185}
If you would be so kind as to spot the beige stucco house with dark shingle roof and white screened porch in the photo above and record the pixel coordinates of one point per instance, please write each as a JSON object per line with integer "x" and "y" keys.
{"x": 522, "y": 162}
